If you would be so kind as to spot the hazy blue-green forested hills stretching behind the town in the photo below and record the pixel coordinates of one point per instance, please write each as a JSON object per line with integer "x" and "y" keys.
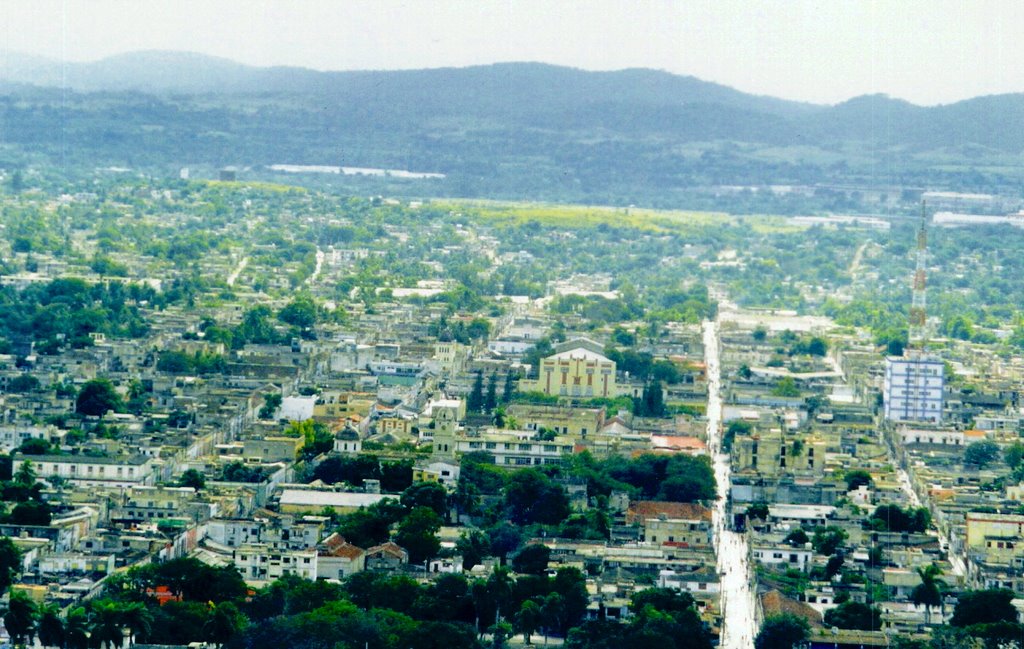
{"x": 509, "y": 131}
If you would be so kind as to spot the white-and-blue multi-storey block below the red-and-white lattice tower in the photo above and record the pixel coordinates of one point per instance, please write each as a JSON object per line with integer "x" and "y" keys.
{"x": 914, "y": 390}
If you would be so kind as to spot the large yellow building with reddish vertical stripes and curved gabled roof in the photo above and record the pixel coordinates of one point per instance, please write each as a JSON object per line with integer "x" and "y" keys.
{"x": 577, "y": 373}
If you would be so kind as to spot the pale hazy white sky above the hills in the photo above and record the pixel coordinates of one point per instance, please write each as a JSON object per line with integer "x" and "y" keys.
{"x": 927, "y": 52}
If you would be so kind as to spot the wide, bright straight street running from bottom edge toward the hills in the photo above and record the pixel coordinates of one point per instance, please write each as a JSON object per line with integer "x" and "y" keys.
{"x": 739, "y": 628}
